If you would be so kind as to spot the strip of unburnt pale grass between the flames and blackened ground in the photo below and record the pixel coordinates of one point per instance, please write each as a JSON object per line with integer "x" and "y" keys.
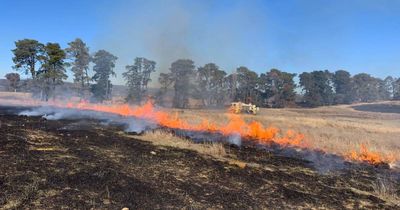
{"x": 164, "y": 138}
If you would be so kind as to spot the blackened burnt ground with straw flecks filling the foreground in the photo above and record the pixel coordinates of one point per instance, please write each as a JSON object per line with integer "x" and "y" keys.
{"x": 82, "y": 165}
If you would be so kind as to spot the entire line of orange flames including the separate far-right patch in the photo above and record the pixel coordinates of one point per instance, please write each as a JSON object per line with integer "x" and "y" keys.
{"x": 254, "y": 130}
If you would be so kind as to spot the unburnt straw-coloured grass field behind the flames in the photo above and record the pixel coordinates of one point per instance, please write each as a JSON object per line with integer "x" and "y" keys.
{"x": 335, "y": 129}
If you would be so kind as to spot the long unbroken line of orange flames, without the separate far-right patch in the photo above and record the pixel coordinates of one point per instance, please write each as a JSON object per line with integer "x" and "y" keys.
{"x": 236, "y": 125}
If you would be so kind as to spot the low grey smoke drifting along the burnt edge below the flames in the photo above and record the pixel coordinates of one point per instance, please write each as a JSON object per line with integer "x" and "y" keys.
{"x": 322, "y": 162}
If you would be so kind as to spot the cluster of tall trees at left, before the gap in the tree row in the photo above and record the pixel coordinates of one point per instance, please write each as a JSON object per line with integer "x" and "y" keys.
{"x": 47, "y": 65}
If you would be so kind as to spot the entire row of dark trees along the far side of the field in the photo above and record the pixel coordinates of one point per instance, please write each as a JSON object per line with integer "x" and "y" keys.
{"x": 47, "y": 65}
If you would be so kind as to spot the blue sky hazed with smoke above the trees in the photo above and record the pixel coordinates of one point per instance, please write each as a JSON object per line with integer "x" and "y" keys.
{"x": 294, "y": 36}
